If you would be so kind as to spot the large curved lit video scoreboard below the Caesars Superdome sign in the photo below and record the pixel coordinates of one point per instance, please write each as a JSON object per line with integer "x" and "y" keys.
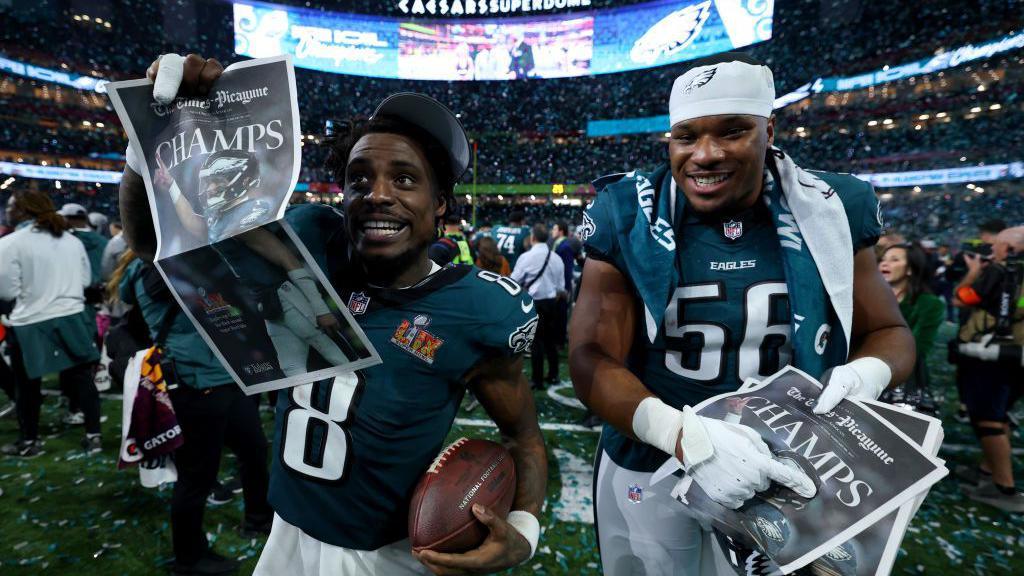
{"x": 579, "y": 44}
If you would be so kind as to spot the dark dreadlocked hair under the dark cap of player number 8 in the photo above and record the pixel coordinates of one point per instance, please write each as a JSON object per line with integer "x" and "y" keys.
{"x": 348, "y": 133}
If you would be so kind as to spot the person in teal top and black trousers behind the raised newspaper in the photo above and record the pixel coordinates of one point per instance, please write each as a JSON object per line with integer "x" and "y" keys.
{"x": 212, "y": 412}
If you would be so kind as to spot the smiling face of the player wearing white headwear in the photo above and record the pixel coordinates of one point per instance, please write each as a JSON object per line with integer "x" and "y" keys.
{"x": 718, "y": 161}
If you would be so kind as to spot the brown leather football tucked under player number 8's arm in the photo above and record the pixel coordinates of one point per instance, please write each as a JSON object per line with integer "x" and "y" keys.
{"x": 468, "y": 472}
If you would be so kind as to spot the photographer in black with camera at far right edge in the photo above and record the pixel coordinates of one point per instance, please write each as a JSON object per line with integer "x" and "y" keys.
{"x": 991, "y": 359}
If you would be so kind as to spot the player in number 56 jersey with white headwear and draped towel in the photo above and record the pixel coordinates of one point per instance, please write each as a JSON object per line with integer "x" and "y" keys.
{"x": 685, "y": 297}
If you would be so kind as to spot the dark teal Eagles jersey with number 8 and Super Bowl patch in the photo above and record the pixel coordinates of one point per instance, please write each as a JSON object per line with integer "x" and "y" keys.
{"x": 350, "y": 454}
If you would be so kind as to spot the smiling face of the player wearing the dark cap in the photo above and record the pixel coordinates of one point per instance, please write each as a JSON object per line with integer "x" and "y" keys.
{"x": 392, "y": 202}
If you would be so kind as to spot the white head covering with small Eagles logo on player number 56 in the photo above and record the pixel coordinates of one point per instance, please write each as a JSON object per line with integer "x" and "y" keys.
{"x": 734, "y": 88}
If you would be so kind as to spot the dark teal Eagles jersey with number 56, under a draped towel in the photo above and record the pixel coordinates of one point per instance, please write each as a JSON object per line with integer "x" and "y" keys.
{"x": 730, "y": 317}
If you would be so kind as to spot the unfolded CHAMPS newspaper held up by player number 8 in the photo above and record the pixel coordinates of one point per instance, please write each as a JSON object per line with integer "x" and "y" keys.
{"x": 219, "y": 173}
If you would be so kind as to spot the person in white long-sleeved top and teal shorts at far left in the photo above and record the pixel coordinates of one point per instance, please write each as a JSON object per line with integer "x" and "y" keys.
{"x": 51, "y": 330}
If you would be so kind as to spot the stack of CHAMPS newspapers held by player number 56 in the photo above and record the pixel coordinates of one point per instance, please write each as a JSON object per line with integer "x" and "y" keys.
{"x": 870, "y": 475}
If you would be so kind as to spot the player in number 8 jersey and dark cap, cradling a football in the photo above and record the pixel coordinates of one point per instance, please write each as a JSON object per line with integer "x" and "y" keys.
{"x": 349, "y": 452}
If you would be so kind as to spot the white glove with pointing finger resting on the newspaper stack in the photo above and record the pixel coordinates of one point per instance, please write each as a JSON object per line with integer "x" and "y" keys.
{"x": 732, "y": 463}
